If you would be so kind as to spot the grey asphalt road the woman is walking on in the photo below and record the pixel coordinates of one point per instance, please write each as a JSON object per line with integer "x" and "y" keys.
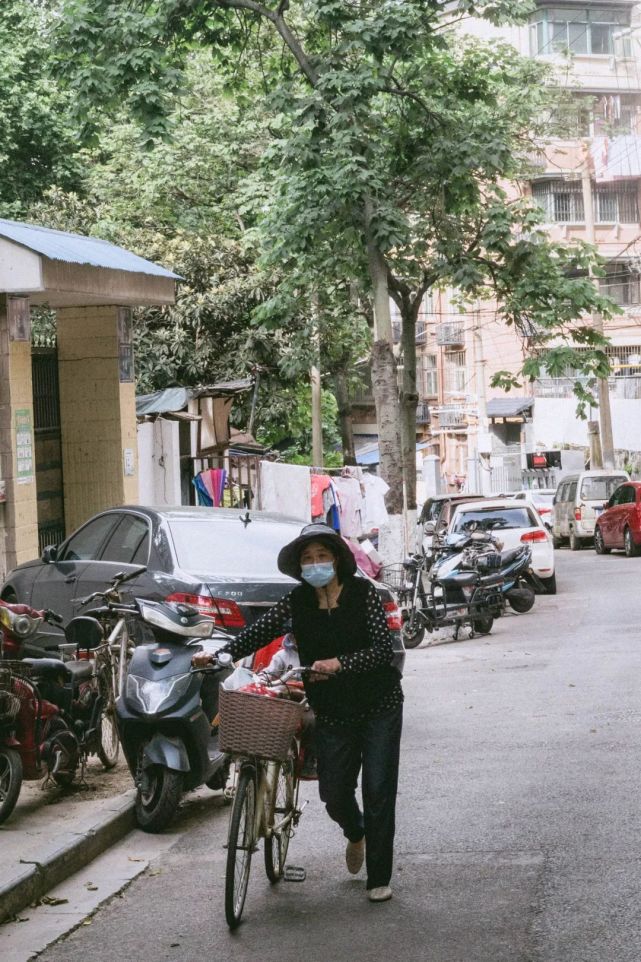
{"x": 519, "y": 827}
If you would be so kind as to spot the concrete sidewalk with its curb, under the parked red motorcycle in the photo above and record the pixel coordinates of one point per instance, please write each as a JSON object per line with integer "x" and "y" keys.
{"x": 52, "y": 834}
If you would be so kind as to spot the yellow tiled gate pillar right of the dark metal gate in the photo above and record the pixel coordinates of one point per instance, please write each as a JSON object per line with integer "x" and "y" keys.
{"x": 97, "y": 411}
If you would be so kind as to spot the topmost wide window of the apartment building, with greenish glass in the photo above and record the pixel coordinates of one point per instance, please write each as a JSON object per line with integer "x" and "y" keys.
{"x": 583, "y": 32}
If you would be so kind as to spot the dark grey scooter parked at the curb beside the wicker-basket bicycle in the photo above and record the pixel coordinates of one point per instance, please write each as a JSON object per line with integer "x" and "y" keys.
{"x": 168, "y": 740}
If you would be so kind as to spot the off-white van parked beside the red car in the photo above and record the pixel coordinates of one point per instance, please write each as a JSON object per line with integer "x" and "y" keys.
{"x": 578, "y": 500}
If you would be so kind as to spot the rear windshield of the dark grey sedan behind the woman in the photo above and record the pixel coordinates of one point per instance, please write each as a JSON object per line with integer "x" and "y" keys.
{"x": 227, "y": 547}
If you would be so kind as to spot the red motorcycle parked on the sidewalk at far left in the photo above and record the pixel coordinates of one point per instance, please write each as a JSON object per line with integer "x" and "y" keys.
{"x": 50, "y": 710}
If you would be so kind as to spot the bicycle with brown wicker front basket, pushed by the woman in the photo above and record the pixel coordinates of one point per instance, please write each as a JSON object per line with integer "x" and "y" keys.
{"x": 263, "y": 736}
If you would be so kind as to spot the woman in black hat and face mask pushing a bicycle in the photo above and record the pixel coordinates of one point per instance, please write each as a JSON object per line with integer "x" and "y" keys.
{"x": 340, "y": 627}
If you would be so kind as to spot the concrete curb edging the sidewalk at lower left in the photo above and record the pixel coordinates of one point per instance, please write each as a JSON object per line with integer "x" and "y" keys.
{"x": 38, "y": 877}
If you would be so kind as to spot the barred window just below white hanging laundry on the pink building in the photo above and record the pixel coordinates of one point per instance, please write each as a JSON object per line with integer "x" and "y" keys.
{"x": 562, "y": 202}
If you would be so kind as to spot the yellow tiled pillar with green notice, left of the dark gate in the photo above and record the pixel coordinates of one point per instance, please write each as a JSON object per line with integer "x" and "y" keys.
{"x": 19, "y": 512}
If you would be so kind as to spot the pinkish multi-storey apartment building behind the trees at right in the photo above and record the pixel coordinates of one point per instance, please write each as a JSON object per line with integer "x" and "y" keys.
{"x": 588, "y": 184}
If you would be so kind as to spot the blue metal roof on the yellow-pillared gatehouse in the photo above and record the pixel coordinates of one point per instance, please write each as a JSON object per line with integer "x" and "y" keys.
{"x": 57, "y": 245}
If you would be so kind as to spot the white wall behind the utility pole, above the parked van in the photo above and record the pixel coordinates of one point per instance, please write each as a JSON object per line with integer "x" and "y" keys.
{"x": 556, "y": 423}
